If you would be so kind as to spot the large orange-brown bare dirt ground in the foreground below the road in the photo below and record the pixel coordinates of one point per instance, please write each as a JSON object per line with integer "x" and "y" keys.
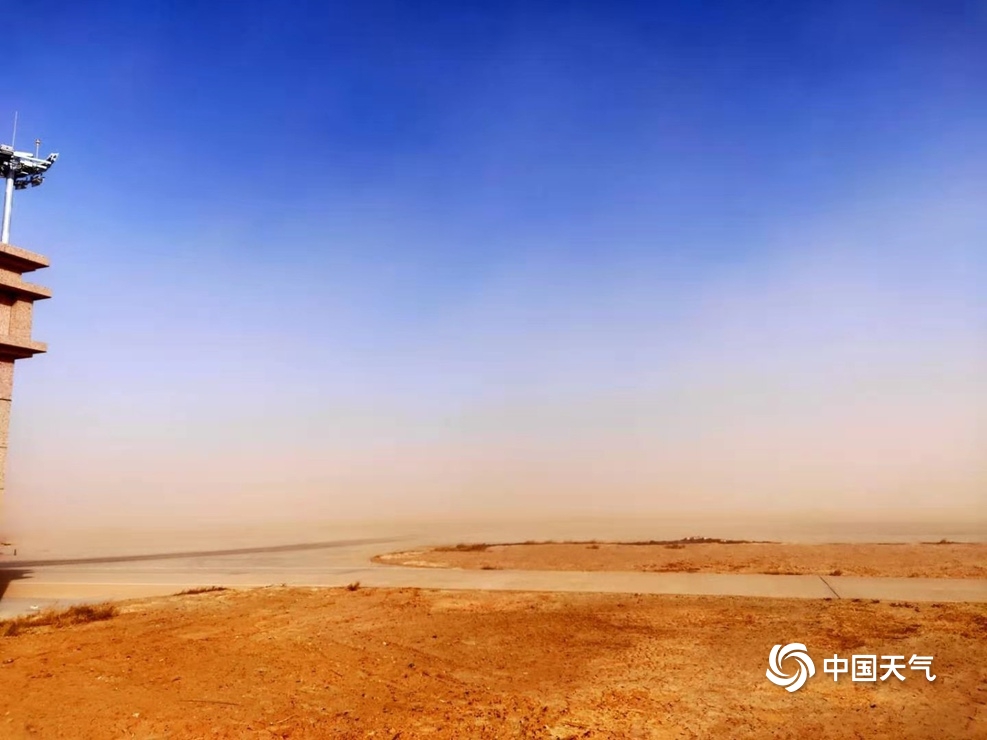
{"x": 334, "y": 663}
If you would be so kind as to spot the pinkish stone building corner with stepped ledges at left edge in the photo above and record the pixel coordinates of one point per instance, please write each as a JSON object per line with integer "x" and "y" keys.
{"x": 17, "y": 299}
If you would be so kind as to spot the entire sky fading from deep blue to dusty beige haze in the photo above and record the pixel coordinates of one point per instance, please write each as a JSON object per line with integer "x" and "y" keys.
{"x": 314, "y": 258}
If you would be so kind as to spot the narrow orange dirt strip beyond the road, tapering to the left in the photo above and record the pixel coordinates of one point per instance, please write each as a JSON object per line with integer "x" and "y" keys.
{"x": 925, "y": 560}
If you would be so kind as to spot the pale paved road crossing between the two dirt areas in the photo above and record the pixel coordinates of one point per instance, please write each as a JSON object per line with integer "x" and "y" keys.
{"x": 27, "y": 581}
